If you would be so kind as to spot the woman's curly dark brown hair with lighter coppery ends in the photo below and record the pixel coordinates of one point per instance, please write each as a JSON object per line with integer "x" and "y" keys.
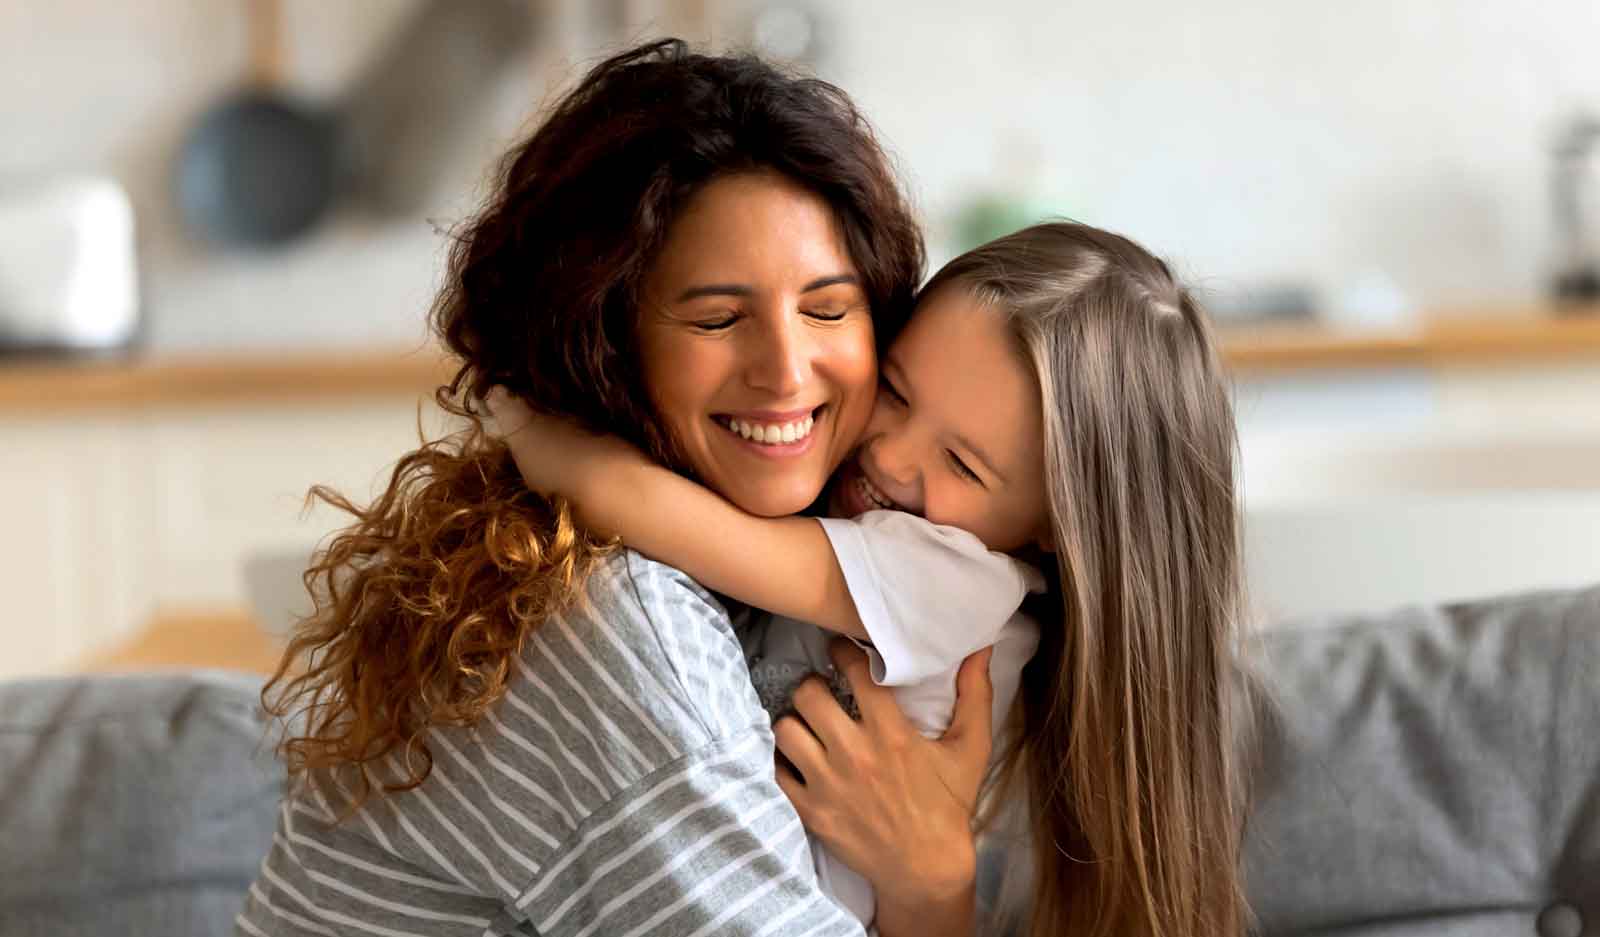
{"x": 425, "y": 600}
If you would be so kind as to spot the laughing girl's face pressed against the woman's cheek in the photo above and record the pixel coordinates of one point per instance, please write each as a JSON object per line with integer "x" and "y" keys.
{"x": 956, "y": 434}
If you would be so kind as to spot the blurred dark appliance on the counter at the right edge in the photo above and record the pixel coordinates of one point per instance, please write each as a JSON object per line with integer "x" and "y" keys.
{"x": 1577, "y": 199}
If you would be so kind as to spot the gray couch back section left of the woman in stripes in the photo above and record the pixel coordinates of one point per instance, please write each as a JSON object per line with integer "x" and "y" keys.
{"x": 132, "y": 805}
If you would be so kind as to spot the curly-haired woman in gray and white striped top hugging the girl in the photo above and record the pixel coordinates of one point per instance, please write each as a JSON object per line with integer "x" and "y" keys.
{"x": 516, "y": 730}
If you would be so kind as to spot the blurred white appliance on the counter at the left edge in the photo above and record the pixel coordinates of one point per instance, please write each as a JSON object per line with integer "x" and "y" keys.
{"x": 68, "y": 269}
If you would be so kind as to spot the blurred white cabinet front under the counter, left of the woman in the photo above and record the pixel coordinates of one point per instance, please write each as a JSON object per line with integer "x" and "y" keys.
{"x": 114, "y": 517}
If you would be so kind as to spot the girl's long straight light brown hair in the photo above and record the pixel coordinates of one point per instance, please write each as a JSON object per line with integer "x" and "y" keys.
{"x": 1124, "y": 751}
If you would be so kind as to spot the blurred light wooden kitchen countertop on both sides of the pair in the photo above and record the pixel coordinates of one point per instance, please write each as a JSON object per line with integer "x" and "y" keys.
{"x": 1510, "y": 337}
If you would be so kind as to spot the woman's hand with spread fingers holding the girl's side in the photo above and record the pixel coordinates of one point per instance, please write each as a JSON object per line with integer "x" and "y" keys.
{"x": 892, "y": 805}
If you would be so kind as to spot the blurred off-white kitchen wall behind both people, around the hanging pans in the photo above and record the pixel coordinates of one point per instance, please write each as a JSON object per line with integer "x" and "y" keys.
{"x": 1255, "y": 140}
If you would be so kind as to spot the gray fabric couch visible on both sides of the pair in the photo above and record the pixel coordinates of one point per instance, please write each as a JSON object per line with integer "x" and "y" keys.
{"x": 1423, "y": 773}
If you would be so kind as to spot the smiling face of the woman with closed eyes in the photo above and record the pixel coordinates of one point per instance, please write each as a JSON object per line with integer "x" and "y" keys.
{"x": 758, "y": 343}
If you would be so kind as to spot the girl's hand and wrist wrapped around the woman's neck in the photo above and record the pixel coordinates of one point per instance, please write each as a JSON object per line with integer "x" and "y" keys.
{"x": 554, "y": 455}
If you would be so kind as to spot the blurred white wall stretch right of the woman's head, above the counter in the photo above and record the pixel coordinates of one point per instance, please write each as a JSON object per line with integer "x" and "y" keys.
{"x": 1252, "y": 140}
